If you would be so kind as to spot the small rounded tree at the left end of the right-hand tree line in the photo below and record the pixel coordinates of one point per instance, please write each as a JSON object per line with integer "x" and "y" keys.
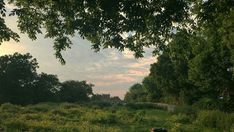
{"x": 137, "y": 93}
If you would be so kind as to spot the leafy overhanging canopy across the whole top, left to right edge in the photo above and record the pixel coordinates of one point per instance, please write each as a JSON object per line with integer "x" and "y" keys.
{"x": 122, "y": 24}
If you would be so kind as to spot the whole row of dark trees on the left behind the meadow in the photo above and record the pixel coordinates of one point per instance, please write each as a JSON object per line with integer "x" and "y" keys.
{"x": 21, "y": 84}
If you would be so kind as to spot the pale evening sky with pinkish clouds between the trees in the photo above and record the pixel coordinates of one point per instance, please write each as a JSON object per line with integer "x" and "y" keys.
{"x": 112, "y": 72}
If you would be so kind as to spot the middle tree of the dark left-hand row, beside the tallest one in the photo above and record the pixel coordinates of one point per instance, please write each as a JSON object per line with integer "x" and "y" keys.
{"x": 46, "y": 88}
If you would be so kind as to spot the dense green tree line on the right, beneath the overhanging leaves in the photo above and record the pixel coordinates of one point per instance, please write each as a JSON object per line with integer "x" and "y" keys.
{"x": 194, "y": 69}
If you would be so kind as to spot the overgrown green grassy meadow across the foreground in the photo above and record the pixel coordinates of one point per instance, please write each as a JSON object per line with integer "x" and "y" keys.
{"x": 92, "y": 118}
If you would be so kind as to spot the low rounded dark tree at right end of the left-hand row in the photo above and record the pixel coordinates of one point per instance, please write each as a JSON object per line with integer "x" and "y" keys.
{"x": 75, "y": 91}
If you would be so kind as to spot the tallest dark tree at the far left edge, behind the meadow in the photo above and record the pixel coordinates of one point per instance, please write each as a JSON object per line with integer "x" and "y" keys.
{"x": 17, "y": 75}
